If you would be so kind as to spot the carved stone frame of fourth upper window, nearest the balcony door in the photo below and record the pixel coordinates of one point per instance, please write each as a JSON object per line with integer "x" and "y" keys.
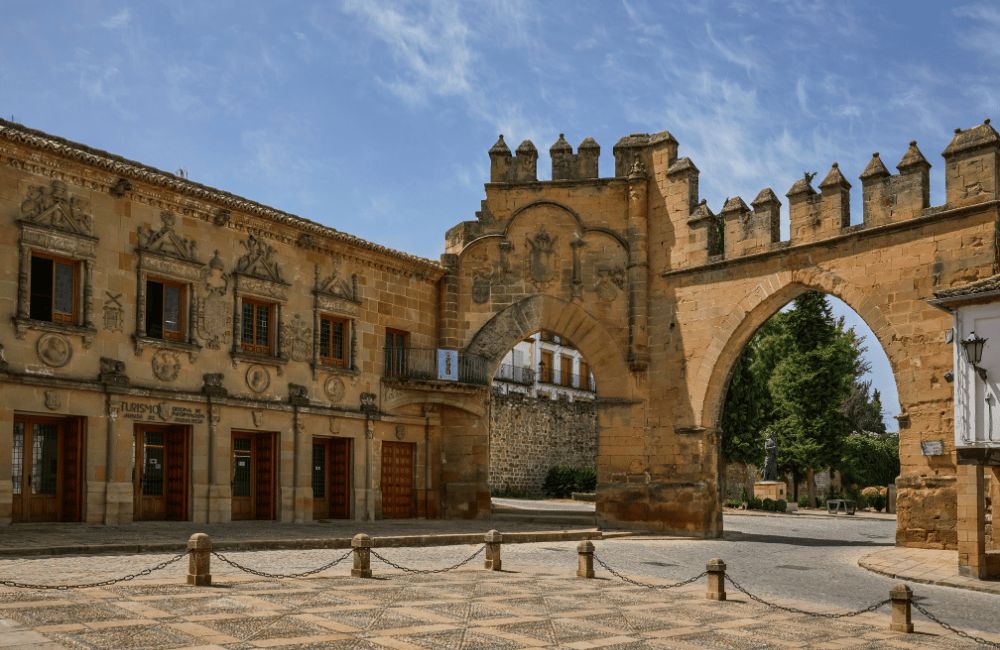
{"x": 336, "y": 295}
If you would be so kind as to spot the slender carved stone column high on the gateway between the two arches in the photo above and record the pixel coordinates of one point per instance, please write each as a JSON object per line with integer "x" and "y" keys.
{"x": 638, "y": 268}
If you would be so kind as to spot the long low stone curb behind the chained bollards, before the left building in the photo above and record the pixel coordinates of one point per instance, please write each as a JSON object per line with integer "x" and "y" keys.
{"x": 395, "y": 541}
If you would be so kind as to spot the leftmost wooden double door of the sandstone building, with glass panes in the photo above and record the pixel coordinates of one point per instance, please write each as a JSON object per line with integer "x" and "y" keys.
{"x": 47, "y": 469}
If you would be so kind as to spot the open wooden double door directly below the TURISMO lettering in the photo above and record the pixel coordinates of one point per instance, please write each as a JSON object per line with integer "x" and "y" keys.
{"x": 160, "y": 478}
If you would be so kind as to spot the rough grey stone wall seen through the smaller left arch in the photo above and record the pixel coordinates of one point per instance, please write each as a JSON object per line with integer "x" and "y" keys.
{"x": 528, "y": 436}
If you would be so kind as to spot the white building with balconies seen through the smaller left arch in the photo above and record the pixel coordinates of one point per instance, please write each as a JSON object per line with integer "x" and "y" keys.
{"x": 545, "y": 365}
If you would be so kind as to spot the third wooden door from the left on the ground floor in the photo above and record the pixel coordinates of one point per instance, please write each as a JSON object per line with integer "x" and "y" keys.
{"x": 254, "y": 475}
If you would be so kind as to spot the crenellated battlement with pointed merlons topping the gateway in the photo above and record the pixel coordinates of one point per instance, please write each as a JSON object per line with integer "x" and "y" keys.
{"x": 691, "y": 234}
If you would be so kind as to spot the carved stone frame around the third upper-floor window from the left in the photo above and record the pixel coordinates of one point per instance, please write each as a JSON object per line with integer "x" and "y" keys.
{"x": 257, "y": 277}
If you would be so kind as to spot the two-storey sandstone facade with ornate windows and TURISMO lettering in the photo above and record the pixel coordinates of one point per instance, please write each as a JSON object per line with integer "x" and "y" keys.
{"x": 174, "y": 352}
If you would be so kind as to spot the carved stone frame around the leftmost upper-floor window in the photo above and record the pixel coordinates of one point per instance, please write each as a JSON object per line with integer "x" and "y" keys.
{"x": 55, "y": 223}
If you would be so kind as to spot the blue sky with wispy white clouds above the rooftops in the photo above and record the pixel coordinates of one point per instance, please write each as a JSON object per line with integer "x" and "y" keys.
{"x": 375, "y": 117}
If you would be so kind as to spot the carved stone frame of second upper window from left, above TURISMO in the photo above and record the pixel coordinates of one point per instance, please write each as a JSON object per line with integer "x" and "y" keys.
{"x": 165, "y": 255}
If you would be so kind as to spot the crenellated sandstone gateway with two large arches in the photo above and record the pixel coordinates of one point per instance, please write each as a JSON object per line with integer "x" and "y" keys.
{"x": 661, "y": 294}
